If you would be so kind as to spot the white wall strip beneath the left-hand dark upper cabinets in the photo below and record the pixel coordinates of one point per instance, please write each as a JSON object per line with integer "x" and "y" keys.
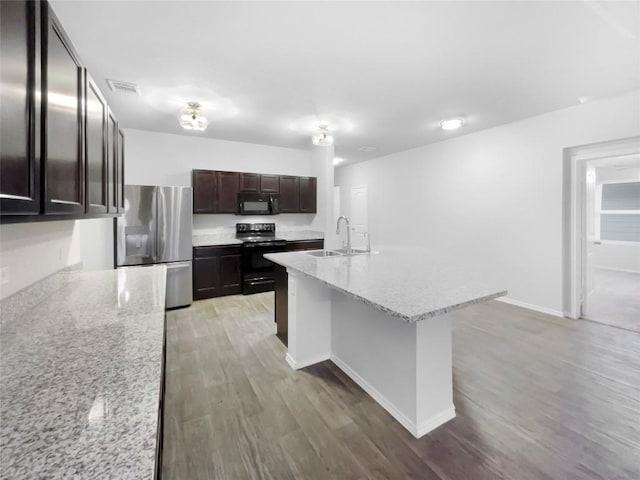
{"x": 32, "y": 251}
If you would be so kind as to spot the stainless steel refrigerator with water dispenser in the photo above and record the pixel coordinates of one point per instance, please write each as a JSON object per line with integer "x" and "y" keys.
{"x": 156, "y": 229}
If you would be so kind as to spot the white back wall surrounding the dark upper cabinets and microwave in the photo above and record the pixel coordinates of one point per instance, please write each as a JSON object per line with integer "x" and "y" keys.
{"x": 165, "y": 159}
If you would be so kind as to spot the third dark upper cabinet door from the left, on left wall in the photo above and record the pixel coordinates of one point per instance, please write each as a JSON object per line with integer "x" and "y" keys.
{"x": 95, "y": 148}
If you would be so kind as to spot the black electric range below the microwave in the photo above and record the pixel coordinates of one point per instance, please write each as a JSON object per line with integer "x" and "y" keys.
{"x": 258, "y": 239}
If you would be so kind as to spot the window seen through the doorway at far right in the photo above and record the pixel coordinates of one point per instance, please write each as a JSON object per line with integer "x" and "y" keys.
{"x": 620, "y": 212}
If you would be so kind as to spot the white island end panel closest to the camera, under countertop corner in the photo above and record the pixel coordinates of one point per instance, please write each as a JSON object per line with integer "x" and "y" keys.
{"x": 434, "y": 373}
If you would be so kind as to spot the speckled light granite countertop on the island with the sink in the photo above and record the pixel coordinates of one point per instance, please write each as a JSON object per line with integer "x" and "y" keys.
{"x": 410, "y": 284}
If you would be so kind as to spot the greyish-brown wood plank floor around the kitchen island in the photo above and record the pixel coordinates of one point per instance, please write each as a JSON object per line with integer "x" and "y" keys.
{"x": 537, "y": 397}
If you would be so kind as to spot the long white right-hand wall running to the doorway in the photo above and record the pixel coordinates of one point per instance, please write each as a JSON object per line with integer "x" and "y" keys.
{"x": 491, "y": 199}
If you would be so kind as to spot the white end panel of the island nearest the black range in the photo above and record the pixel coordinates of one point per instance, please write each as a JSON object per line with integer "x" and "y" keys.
{"x": 309, "y": 336}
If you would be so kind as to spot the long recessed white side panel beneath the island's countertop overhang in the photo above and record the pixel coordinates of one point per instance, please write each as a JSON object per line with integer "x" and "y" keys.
{"x": 378, "y": 352}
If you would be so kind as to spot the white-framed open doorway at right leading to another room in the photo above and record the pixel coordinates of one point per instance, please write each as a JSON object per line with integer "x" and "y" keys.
{"x": 604, "y": 241}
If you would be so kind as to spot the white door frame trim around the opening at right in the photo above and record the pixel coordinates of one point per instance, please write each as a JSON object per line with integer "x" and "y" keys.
{"x": 574, "y": 214}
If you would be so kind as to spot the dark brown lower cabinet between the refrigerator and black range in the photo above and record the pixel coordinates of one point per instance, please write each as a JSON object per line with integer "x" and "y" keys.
{"x": 216, "y": 271}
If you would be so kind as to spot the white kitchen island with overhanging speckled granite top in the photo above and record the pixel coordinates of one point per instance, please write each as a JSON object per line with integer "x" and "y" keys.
{"x": 384, "y": 319}
